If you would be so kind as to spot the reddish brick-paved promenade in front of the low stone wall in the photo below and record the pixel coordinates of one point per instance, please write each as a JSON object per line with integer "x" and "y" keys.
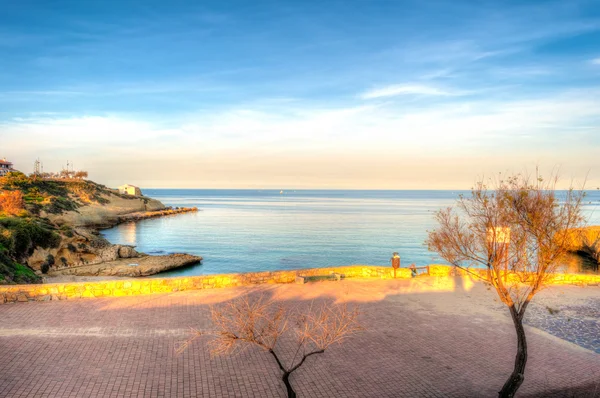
{"x": 417, "y": 343}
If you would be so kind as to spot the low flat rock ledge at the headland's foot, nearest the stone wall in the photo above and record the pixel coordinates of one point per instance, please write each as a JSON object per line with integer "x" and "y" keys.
{"x": 143, "y": 265}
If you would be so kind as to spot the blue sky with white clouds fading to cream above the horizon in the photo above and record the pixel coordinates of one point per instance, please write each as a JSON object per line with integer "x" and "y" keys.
{"x": 366, "y": 94}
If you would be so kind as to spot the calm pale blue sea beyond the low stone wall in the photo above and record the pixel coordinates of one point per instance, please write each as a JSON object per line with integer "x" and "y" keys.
{"x": 258, "y": 230}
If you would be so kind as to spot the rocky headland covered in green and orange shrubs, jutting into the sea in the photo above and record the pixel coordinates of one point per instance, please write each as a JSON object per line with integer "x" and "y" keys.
{"x": 52, "y": 226}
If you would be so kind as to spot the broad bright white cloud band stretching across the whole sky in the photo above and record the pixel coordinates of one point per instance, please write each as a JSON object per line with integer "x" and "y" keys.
{"x": 436, "y": 127}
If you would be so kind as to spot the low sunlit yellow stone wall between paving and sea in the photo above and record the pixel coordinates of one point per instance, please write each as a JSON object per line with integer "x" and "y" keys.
{"x": 128, "y": 287}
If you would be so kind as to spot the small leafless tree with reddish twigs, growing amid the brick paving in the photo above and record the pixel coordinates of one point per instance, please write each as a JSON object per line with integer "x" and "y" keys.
{"x": 256, "y": 320}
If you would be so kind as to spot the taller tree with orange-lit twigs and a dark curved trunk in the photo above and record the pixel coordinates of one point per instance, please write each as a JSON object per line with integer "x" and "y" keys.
{"x": 518, "y": 233}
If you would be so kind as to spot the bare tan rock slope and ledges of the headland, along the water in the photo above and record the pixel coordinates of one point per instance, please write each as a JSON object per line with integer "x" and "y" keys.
{"x": 83, "y": 252}
